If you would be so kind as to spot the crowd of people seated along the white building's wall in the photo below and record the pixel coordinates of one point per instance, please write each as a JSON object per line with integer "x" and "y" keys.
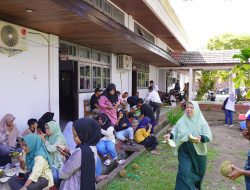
{"x": 72, "y": 159}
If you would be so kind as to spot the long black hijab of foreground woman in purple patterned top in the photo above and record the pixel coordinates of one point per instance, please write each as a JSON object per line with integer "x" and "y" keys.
{"x": 89, "y": 132}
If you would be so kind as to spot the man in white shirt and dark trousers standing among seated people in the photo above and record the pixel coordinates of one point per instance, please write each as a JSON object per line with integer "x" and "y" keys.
{"x": 154, "y": 101}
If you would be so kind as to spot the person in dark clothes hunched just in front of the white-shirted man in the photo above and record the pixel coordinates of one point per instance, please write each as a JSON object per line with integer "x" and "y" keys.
{"x": 146, "y": 110}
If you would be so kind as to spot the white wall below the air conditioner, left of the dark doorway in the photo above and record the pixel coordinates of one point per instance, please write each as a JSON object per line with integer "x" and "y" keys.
{"x": 24, "y": 80}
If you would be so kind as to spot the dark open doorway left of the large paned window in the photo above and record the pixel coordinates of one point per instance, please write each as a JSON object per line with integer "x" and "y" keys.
{"x": 68, "y": 91}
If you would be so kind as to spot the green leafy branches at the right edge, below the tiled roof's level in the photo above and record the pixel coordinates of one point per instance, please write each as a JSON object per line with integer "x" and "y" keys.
{"x": 242, "y": 70}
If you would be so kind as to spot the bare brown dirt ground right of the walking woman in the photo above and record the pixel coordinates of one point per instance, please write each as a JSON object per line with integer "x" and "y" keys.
{"x": 228, "y": 145}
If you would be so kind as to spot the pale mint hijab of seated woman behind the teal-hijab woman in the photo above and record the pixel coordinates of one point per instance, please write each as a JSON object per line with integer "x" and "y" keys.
{"x": 56, "y": 133}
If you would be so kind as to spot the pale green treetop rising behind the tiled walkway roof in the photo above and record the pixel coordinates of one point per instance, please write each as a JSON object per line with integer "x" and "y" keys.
{"x": 229, "y": 41}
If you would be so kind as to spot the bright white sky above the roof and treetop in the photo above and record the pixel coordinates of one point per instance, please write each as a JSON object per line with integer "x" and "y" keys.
{"x": 204, "y": 19}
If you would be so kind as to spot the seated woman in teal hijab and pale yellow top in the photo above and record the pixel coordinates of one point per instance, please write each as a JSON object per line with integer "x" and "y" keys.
{"x": 37, "y": 163}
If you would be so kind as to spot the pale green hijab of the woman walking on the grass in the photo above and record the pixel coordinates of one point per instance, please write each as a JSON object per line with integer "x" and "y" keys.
{"x": 196, "y": 125}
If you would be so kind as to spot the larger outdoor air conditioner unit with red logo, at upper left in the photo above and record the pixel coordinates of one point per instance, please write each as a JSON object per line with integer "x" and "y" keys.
{"x": 13, "y": 37}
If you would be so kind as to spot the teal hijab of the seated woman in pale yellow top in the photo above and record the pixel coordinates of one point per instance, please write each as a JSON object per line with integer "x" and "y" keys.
{"x": 36, "y": 148}
